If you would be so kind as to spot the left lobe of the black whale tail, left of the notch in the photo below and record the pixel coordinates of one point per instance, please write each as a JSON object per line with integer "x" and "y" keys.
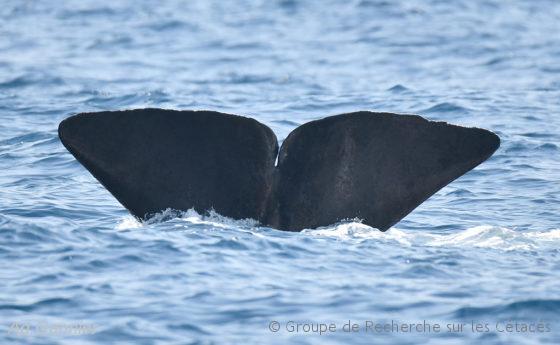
{"x": 154, "y": 159}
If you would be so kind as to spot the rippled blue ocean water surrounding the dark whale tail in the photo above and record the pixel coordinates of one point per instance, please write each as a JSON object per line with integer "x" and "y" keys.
{"x": 76, "y": 268}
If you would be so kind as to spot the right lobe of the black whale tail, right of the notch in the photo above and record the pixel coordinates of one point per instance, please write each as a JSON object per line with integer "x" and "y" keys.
{"x": 376, "y": 167}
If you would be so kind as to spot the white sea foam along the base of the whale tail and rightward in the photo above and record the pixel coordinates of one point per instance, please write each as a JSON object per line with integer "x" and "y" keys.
{"x": 483, "y": 236}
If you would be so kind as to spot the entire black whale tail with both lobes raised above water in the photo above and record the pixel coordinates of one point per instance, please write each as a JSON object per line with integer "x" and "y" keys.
{"x": 376, "y": 167}
